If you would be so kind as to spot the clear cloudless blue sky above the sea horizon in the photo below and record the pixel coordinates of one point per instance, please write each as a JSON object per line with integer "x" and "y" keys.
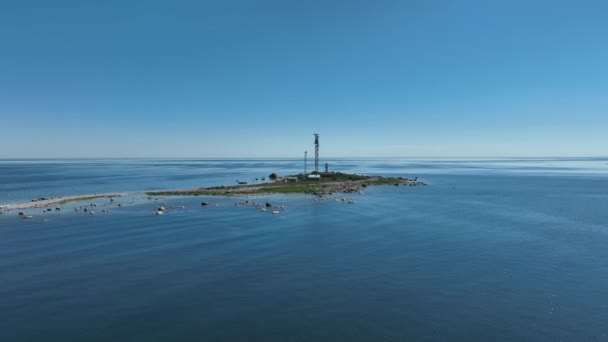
{"x": 258, "y": 78}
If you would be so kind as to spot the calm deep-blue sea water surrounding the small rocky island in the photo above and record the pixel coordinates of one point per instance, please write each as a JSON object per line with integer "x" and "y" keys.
{"x": 493, "y": 249}
